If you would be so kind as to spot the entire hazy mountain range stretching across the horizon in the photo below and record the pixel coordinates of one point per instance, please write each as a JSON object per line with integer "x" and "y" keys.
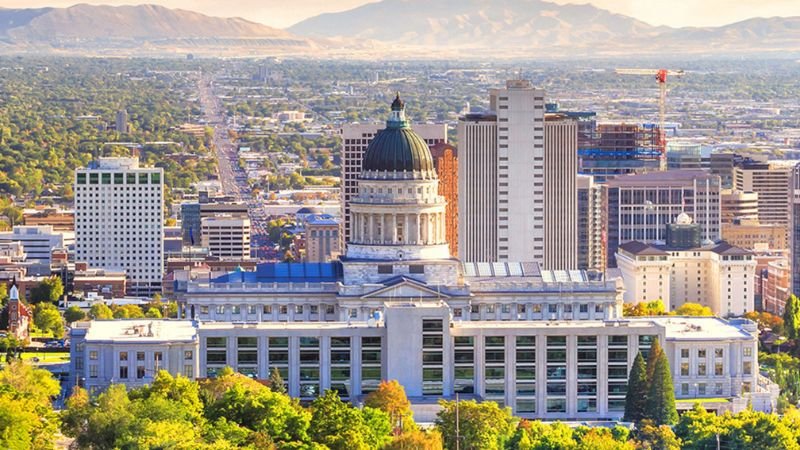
{"x": 399, "y": 28}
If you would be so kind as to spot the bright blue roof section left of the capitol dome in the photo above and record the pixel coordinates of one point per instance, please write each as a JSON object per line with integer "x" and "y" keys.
{"x": 285, "y": 272}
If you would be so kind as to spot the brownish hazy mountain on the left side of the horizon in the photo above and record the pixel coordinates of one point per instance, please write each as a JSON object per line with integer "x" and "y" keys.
{"x": 137, "y": 29}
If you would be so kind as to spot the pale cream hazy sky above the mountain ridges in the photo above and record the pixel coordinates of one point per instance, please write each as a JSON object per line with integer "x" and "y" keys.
{"x": 282, "y": 13}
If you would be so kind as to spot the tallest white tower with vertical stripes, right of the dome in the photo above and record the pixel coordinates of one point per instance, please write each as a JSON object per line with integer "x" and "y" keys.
{"x": 509, "y": 173}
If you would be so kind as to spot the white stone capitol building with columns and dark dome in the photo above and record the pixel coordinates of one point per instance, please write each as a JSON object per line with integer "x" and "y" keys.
{"x": 397, "y": 305}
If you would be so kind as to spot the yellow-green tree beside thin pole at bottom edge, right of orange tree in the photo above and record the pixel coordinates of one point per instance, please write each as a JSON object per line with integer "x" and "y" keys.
{"x": 483, "y": 426}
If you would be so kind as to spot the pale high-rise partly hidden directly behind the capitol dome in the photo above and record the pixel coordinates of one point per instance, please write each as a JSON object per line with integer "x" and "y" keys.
{"x": 355, "y": 140}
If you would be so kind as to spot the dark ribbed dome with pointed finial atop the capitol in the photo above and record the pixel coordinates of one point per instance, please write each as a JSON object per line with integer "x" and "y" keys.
{"x": 398, "y": 148}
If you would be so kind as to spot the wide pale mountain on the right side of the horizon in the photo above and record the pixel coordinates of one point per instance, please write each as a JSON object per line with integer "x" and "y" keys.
{"x": 523, "y": 26}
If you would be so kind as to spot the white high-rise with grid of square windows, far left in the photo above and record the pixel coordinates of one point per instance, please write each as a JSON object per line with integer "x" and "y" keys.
{"x": 119, "y": 212}
